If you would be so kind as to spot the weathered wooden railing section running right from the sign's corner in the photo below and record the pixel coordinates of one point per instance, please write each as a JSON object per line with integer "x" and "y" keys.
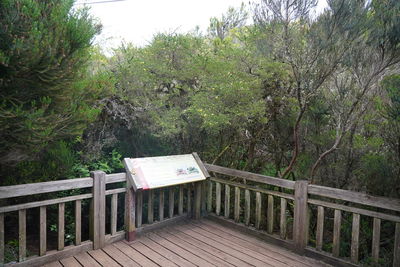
{"x": 296, "y": 202}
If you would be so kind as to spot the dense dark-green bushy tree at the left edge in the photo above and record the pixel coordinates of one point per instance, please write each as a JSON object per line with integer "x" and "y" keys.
{"x": 44, "y": 48}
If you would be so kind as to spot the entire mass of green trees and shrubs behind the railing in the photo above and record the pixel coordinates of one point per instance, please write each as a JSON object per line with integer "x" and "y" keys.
{"x": 293, "y": 94}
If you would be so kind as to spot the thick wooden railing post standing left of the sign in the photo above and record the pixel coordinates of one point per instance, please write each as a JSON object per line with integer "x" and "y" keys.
{"x": 98, "y": 209}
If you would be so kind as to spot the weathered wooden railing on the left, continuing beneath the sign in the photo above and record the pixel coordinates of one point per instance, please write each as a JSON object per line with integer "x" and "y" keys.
{"x": 97, "y": 193}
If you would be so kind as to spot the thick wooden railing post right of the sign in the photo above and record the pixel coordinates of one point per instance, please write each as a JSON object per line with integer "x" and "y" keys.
{"x": 300, "y": 215}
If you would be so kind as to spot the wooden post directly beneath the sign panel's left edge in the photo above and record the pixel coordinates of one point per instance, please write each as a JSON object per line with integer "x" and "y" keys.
{"x": 130, "y": 209}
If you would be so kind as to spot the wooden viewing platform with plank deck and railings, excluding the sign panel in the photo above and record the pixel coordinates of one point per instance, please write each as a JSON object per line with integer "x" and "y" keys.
{"x": 234, "y": 218}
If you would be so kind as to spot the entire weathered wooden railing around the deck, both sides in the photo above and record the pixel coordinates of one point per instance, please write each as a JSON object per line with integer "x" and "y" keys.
{"x": 237, "y": 198}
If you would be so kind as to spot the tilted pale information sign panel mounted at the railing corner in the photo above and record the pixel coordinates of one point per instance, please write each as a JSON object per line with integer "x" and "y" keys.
{"x": 156, "y": 172}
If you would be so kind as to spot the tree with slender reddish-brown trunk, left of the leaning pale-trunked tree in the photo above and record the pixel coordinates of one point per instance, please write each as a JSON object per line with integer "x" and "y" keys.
{"x": 305, "y": 45}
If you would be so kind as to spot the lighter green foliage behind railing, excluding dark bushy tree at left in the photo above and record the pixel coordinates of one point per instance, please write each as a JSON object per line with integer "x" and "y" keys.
{"x": 291, "y": 95}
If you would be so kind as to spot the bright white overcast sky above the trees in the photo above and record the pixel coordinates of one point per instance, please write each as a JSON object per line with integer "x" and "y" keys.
{"x": 137, "y": 21}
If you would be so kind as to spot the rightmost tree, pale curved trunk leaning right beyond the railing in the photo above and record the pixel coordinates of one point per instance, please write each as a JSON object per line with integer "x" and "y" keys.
{"x": 374, "y": 54}
